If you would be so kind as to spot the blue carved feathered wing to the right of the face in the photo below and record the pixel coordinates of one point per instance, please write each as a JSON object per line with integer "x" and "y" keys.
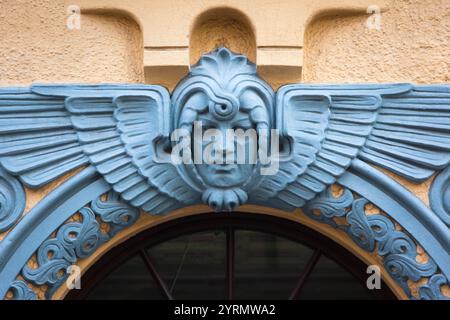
{"x": 402, "y": 128}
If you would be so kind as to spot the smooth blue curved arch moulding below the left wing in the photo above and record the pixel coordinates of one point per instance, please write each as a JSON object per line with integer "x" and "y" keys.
{"x": 38, "y": 224}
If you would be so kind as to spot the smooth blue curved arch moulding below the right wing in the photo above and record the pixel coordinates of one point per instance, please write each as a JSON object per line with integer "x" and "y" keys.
{"x": 422, "y": 224}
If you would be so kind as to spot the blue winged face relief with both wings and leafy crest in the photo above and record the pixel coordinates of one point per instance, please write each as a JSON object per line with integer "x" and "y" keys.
{"x": 125, "y": 131}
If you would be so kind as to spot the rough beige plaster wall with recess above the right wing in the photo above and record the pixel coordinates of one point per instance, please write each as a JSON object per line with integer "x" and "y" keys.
{"x": 413, "y": 45}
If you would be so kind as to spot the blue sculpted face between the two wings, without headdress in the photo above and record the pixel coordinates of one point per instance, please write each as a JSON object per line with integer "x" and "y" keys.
{"x": 225, "y": 174}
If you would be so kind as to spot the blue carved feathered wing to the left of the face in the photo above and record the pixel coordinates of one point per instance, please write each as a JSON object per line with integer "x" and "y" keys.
{"x": 49, "y": 130}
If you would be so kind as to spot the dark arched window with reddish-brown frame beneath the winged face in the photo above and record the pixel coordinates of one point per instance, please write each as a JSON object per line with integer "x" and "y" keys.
{"x": 228, "y": 256}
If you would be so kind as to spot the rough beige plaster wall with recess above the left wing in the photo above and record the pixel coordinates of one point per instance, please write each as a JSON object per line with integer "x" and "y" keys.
{"x": 36, "y": 45}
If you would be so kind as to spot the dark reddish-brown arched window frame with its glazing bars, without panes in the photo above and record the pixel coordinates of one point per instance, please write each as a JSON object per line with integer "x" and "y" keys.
{"x": 235, "y": 221}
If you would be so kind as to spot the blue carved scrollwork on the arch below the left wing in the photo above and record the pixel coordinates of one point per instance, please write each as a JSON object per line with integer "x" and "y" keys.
{"x": 78, "y": 239}
